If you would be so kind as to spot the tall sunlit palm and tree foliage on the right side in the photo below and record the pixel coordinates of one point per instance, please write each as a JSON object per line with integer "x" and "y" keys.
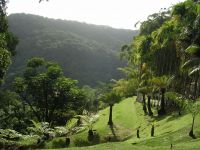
{"x": 168, "y": 45}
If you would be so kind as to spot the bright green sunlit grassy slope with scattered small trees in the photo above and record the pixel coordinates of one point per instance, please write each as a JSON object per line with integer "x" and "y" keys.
{"x": 127, "y": 116}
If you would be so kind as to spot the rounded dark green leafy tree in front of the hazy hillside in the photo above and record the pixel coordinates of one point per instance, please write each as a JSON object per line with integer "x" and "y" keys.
{"x": 50, "y": 95}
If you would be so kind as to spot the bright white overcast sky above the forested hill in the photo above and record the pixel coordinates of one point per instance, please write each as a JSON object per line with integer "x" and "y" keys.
{"x": 115, "y": 13}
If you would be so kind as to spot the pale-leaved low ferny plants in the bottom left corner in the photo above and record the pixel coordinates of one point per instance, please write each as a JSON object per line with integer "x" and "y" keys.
{"x": 38, "y": 134}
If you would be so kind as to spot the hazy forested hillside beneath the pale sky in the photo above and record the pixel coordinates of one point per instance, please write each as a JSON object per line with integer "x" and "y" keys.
{"x": 87, "y": 53}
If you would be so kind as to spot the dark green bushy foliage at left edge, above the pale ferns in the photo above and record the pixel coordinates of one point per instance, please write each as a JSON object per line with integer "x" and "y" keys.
{"x": 14, "y": 113}
